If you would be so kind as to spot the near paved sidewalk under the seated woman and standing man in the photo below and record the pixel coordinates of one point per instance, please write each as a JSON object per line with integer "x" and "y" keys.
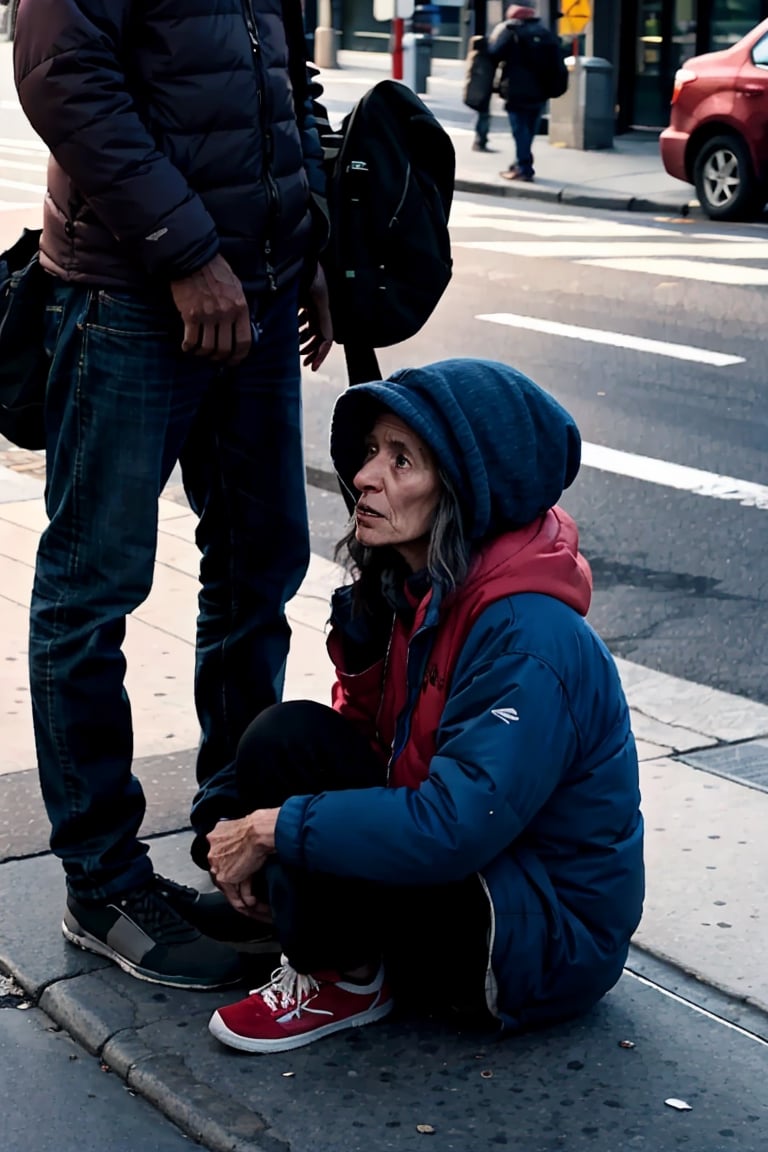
{"x": 708, "y": 859}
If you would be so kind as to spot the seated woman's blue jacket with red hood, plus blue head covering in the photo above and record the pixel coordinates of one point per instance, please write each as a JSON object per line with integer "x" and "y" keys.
{"x": 533, "y": 774}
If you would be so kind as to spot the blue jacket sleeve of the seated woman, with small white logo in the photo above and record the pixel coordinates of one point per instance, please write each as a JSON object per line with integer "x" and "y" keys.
{"x": 490, "y": 777}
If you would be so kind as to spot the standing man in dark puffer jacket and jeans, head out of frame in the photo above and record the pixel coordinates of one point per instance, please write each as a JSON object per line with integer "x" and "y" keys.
{"x": 181, "y": 240}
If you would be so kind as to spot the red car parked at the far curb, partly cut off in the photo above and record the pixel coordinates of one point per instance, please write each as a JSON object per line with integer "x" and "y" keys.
{"x": 718, "y": 137}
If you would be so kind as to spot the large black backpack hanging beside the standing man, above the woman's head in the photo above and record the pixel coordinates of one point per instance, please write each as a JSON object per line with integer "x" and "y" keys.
{"x": 391, "y": 186}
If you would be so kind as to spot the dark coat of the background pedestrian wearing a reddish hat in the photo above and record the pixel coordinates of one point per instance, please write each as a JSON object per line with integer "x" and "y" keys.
{"x": 530, "y": 56}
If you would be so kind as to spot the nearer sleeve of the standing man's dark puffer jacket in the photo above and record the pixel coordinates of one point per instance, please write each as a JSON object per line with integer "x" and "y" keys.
{"x": 73, "y": 88}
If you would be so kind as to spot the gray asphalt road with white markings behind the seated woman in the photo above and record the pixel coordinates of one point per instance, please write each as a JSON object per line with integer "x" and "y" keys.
{"x": 680, "y": 577}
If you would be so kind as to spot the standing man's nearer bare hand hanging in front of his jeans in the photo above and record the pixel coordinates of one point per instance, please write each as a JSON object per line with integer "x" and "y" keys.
{"x": 215, "y": 310}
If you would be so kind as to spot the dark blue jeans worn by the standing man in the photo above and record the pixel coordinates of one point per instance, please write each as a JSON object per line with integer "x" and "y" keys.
{"x": 124, "y": 405}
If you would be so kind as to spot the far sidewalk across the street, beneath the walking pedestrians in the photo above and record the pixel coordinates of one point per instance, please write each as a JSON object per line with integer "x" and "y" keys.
{"x": 627, "y": 178}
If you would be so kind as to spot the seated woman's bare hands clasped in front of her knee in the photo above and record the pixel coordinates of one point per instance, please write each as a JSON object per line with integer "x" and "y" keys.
{"x": 239, "y": 848}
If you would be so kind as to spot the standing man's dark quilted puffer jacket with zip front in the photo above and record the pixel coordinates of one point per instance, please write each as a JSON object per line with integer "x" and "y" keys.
{"x": 171, "y": 138}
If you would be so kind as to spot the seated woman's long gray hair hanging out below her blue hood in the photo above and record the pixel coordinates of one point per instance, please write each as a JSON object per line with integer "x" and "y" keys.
{"x": 447, "y": 556}
